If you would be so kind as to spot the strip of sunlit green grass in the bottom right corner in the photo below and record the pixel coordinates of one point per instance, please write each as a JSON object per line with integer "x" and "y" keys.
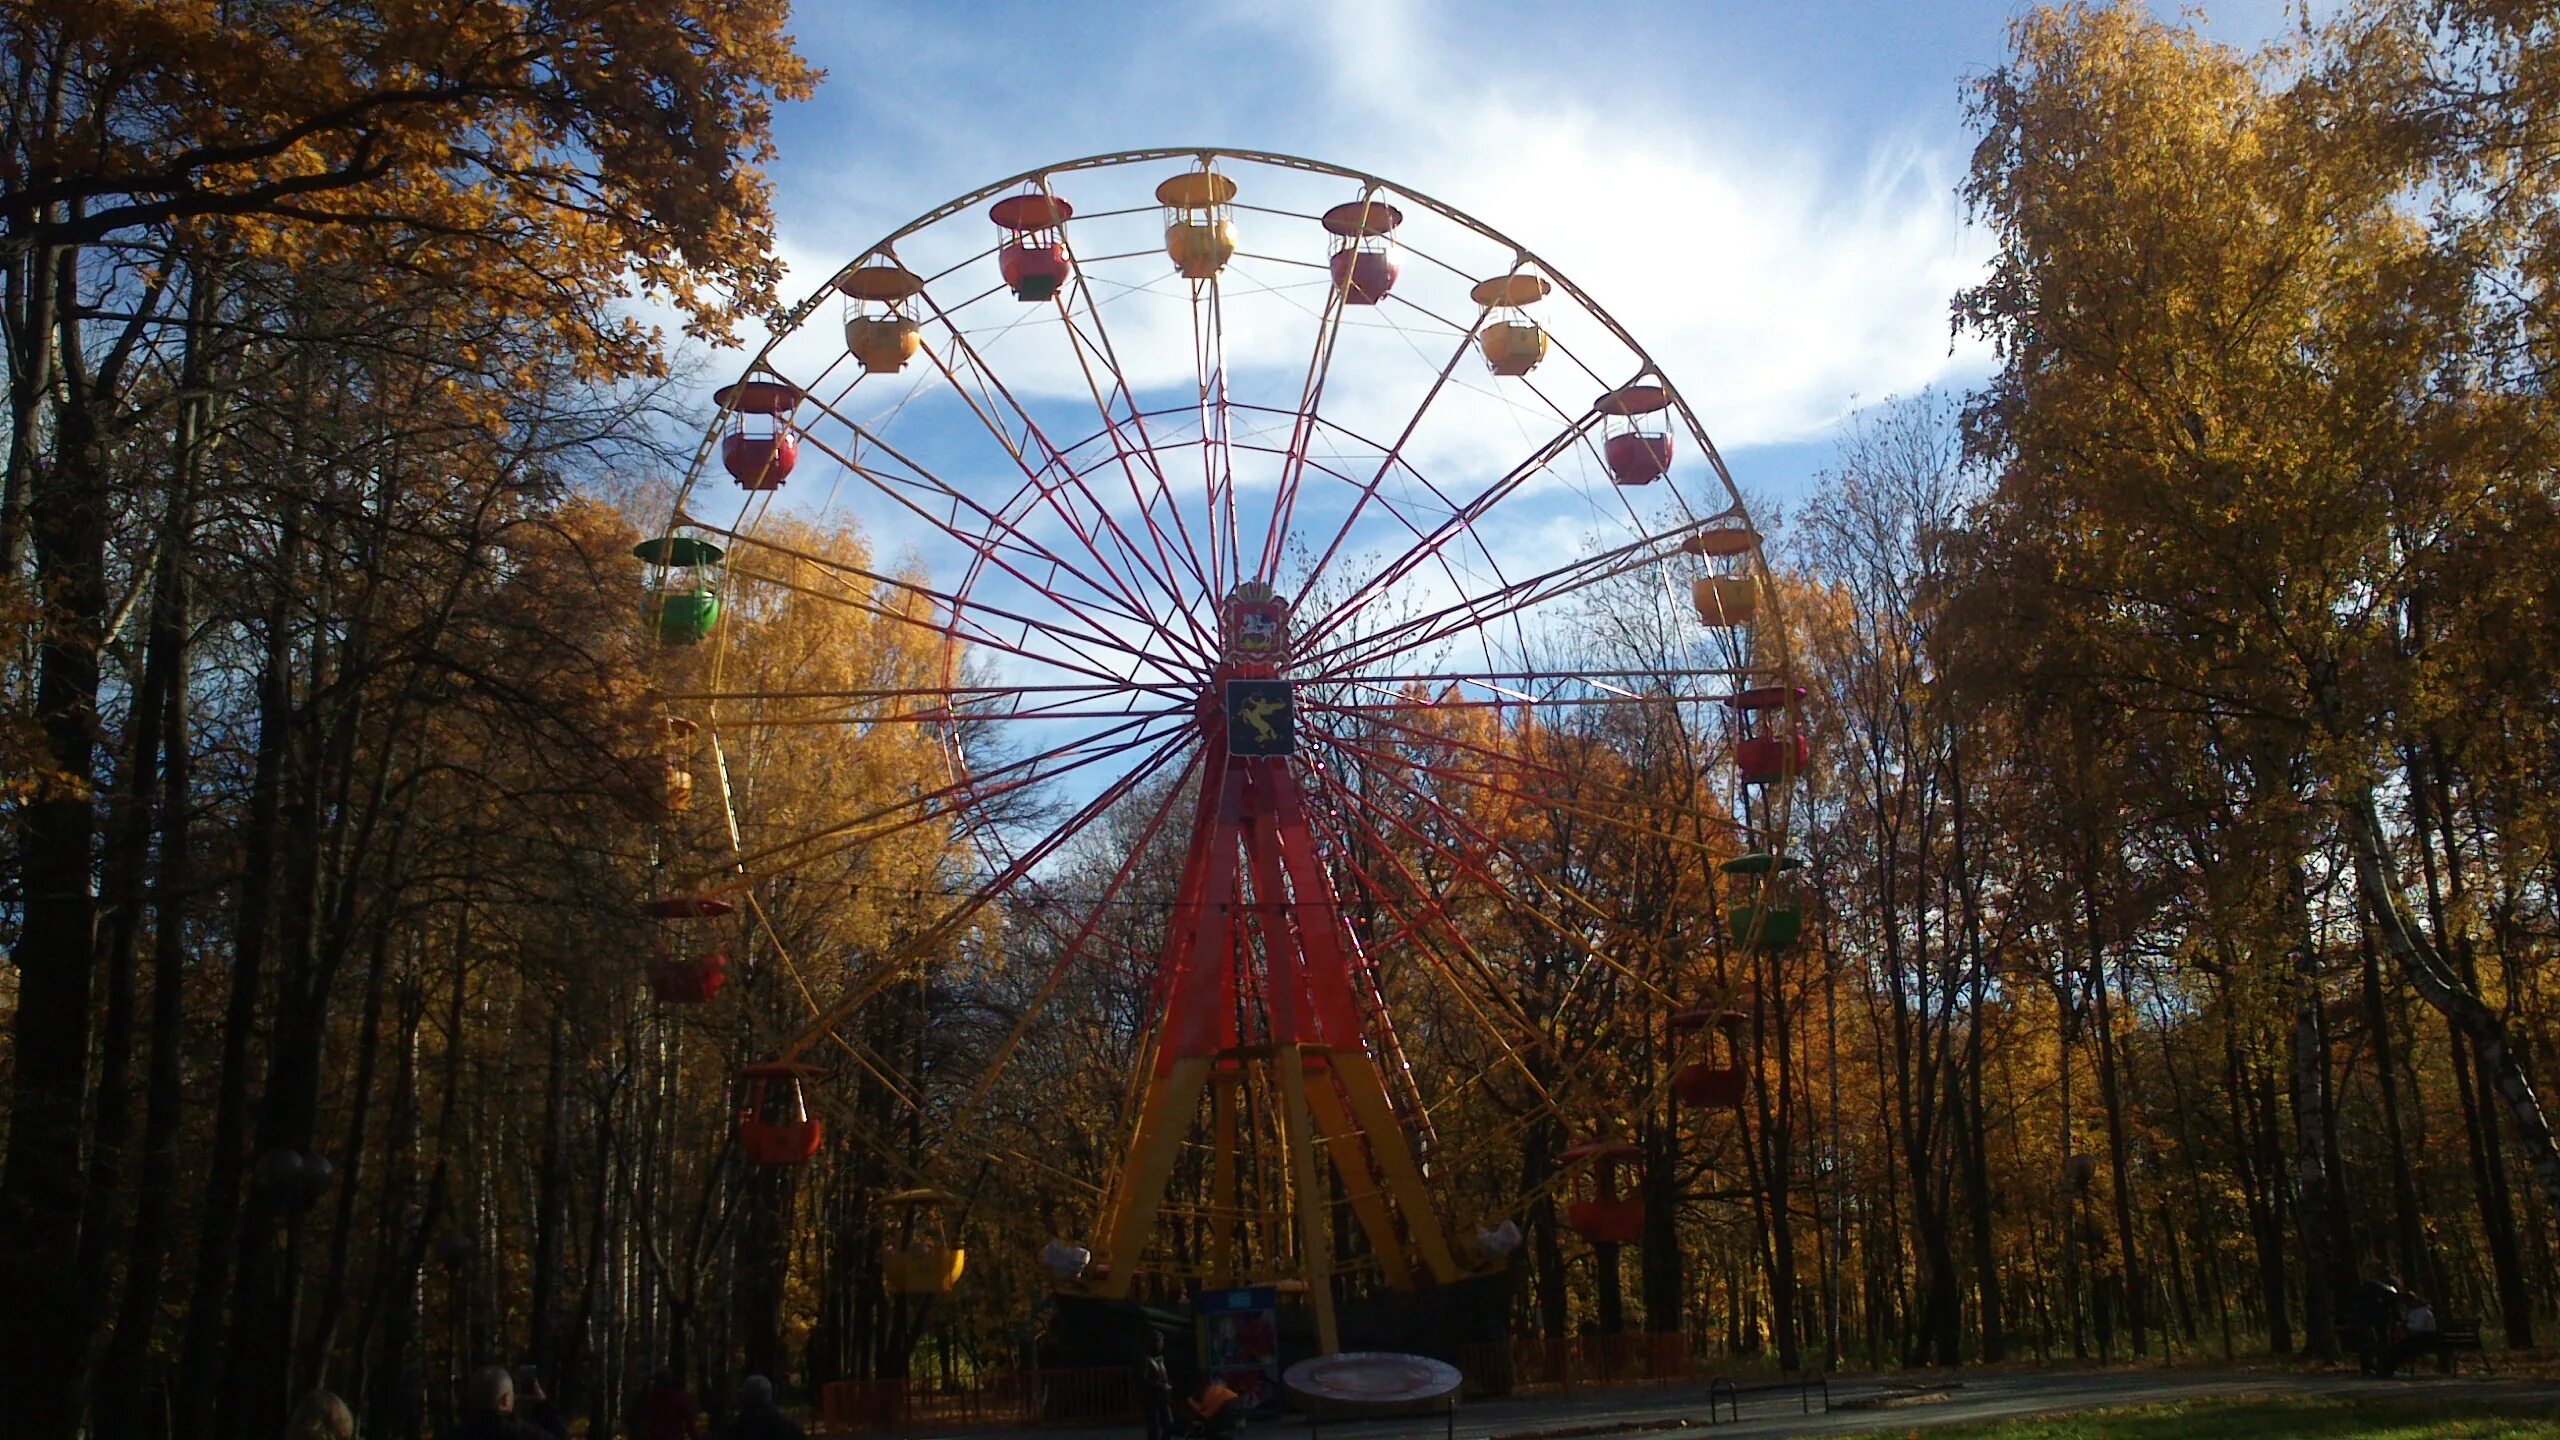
{"x": 2282, "y": 1421}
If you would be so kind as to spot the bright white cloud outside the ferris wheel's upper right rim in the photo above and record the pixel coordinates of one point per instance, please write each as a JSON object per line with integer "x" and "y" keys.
{"x": 1768, "y": 281}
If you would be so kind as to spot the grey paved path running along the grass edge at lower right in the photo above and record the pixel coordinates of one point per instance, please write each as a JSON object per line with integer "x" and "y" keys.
{"x": 1773, "y": 1413}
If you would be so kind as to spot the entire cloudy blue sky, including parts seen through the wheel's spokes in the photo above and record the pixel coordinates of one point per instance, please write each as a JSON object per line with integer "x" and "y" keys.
{"x": 1763, "y": 193}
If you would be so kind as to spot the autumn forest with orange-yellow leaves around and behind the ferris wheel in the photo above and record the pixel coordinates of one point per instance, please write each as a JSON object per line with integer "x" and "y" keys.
{"x": 2182, "y": 844}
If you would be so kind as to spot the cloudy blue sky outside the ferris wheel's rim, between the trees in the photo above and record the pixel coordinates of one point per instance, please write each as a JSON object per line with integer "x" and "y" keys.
{"x": 1765, "y": 193}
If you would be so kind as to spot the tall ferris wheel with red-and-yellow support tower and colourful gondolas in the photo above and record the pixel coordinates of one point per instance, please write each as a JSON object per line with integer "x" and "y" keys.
{"x": 1294, "y": 562}
